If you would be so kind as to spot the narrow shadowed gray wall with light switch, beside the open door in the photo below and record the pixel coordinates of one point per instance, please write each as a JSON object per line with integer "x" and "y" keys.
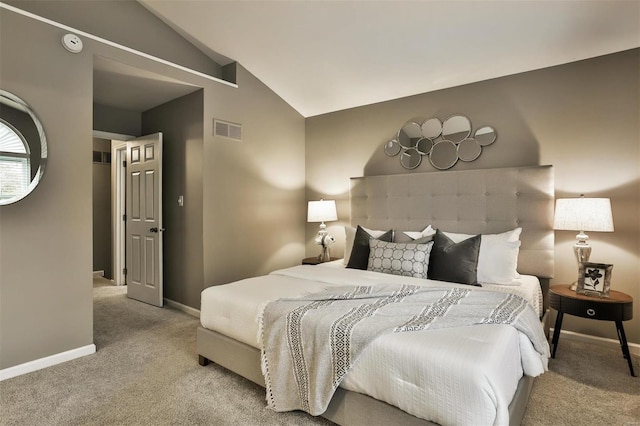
{"x": 181, "y": 124}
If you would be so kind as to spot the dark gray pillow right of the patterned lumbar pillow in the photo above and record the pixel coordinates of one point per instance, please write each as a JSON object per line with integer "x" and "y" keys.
{"x": 454, "y": 262}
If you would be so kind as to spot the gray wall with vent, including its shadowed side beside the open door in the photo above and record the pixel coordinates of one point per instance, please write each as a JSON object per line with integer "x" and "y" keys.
{"x": 244, "y": 201}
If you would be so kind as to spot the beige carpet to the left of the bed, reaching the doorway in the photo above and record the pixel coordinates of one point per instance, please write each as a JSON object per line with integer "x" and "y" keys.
{"x": 145, "y": 372}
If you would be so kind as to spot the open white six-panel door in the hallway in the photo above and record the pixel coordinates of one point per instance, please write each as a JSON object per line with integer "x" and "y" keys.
{"x": 144, "y": 219}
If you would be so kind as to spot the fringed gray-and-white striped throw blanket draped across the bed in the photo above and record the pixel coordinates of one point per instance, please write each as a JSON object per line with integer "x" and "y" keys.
{"x": 310, "y": 343}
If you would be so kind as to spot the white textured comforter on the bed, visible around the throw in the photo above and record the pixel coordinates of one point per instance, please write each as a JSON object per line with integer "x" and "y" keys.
{"x": 461, "y": 376}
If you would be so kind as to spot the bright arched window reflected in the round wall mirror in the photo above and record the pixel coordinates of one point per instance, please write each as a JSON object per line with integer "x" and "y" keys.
{"x": 15, "y": 163}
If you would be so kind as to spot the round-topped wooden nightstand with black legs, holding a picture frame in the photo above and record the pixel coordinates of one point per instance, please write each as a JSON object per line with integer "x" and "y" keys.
{"x": 617, "y": 307}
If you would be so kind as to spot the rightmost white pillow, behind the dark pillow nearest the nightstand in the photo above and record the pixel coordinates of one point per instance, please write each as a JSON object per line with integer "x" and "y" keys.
{"x": 498, "y": 258}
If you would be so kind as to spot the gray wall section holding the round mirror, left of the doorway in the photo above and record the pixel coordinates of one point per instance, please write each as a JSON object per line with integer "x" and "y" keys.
{"x": 45, "y": 244}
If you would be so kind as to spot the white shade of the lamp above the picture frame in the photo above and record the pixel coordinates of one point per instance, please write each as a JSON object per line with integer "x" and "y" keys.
{"x": 583, "y": 214}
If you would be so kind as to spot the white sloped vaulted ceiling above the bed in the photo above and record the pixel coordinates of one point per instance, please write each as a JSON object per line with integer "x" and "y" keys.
{"x": 325, "y": 56}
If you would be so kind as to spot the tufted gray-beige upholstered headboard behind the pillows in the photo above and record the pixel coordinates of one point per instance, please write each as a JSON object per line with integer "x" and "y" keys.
{"x": 468, "y": 201}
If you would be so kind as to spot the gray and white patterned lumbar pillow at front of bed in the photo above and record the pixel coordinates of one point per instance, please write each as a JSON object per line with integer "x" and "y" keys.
{"x": 408, "y": 259}
